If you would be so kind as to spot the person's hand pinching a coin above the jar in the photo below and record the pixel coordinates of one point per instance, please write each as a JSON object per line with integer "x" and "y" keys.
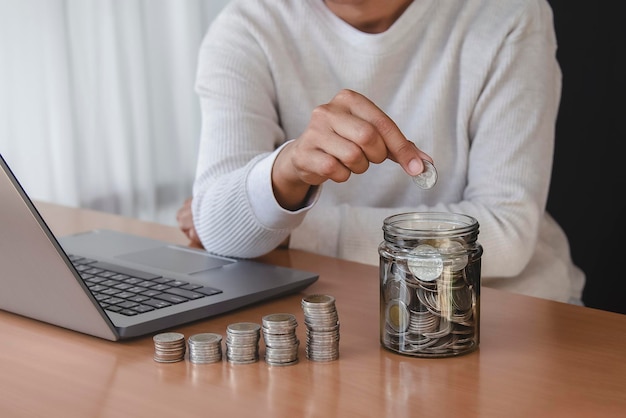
{"x": 343, "y": 137}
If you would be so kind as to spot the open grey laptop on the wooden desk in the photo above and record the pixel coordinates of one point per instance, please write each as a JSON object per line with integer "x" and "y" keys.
{"x": 115, "y": 285}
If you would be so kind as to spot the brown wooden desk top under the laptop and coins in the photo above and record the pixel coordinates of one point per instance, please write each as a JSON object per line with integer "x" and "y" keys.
{"x": 537, "y": 359}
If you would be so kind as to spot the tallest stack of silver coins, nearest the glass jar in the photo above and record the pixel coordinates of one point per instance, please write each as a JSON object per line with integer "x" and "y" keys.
{"x": 322, "y": 327}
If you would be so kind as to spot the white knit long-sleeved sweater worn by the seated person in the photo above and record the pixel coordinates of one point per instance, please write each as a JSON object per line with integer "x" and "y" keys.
{"x": 474, "y": 83}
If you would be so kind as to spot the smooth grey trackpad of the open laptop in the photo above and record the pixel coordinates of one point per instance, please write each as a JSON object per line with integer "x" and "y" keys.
{"x": 176, "y": 259}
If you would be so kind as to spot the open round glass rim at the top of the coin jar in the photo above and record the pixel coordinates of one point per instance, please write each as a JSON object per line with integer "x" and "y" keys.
{"x": 440, "y": 224}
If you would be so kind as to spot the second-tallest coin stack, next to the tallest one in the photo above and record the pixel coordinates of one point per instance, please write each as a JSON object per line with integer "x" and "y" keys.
{"x": 281, "y": 342}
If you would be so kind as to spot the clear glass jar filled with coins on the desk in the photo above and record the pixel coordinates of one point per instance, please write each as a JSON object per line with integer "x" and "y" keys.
{"x": 430, "y": 284}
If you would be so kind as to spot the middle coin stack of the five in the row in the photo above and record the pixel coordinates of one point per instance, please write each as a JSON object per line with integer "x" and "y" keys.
{"x": 242, "y": 342}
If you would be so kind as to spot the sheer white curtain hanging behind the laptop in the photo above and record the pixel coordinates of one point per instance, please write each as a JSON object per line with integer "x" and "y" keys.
{"x": 97, "y": 107}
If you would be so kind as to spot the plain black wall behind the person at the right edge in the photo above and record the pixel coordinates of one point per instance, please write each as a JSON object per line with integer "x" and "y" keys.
{"x": 589, "y": 175}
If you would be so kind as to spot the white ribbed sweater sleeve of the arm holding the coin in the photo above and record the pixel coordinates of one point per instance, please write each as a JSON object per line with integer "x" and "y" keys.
{"x": 234, "y": 210}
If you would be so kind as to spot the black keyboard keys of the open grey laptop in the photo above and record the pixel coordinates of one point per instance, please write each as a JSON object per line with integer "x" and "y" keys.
{"x": 131, "y": 292}
